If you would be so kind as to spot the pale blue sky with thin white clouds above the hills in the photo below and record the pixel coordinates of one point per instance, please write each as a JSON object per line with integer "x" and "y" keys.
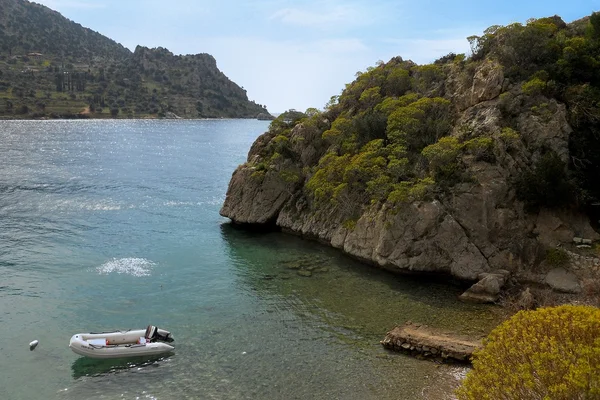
{"x": 297, "y": 54}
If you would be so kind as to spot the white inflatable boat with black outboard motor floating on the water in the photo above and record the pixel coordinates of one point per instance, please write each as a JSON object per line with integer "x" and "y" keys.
{"x": 133, "y": 343}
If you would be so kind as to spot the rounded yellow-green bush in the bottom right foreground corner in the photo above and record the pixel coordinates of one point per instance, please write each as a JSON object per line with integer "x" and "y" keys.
{"x": 549, "y": 353}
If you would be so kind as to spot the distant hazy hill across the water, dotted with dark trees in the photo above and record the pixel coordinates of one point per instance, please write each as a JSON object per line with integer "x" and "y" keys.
{"x": 53, "y": 67}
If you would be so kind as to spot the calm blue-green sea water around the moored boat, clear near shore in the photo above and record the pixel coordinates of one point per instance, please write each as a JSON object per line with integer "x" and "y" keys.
{"x": 108, "y": 225}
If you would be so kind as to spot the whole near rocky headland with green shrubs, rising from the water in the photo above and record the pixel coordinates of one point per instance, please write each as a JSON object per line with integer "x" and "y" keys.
{"x": 462, "y": 167}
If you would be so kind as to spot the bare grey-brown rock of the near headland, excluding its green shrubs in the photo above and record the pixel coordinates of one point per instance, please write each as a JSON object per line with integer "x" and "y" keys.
{"x": 478, "y": 226}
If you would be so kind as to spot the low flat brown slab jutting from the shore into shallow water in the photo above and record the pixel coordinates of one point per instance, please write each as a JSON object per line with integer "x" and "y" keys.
{"x": 420, "y": 339}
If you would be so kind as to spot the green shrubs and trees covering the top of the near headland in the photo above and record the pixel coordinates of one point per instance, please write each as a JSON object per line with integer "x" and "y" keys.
{"x": 393, "y": 136}
